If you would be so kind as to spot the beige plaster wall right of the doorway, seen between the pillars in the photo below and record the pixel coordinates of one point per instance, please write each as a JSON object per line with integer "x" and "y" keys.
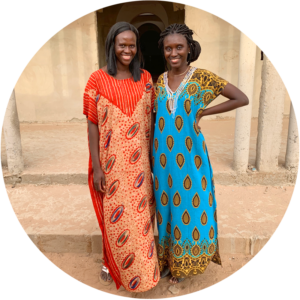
{"x": 220, "y": 43}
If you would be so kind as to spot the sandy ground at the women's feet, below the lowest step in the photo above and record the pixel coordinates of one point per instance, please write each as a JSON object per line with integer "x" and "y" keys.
{"x": 85, "y": 269}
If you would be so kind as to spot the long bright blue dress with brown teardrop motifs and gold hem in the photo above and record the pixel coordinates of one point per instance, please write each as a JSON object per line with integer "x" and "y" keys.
{"x": 183, "y": 178}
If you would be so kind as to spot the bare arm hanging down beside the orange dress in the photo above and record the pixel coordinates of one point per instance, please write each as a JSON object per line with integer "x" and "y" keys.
{"x": 99, "y": 179}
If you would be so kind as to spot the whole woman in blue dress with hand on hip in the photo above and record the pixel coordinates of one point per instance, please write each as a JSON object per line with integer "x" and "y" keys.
{"x": 183, "y": 176}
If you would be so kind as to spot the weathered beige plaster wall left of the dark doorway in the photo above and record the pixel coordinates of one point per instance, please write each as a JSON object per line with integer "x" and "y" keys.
{"x": 50, "y": 86}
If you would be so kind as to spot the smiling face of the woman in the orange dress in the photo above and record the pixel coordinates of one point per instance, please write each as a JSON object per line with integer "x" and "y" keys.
{"x": 125, "y": 47}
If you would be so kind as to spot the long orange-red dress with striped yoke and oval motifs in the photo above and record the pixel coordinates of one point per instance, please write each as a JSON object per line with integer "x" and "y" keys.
{"x": 122, "y": 111}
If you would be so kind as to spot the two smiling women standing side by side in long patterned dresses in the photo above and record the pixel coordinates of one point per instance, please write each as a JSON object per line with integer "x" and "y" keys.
{"x": 118, "y": 102}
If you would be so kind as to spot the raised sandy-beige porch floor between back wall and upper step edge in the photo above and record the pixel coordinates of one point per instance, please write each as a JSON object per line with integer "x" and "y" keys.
{"x": 63, "y": 147}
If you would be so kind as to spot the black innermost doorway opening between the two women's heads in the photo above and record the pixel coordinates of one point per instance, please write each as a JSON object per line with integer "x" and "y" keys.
{"x": 153, "y": 59}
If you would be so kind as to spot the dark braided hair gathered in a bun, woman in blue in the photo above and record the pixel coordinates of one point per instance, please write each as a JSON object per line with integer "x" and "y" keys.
{"x": 195, "y": 48}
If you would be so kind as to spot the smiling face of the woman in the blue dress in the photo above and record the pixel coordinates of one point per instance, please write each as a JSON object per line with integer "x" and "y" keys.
{"x": 176, "y": 50}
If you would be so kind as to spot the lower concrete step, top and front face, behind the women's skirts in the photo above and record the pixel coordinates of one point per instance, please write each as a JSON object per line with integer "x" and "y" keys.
{"x": 61, "y": 218}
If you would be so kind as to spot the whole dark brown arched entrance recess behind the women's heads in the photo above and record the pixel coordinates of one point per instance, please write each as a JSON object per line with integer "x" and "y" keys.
{"x": 144, "y": 15}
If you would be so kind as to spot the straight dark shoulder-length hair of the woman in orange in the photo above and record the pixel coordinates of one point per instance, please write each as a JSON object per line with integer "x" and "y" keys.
{"x": 137, "y": 61}
